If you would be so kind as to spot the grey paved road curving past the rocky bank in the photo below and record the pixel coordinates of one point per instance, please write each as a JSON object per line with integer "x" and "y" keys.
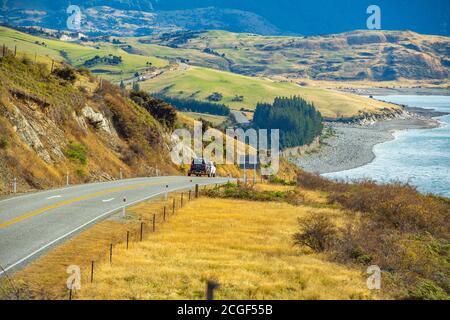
{"x": 32, "y": 224}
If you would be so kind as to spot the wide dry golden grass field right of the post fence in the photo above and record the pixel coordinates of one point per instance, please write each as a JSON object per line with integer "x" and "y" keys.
{"x": 246, "y": 246}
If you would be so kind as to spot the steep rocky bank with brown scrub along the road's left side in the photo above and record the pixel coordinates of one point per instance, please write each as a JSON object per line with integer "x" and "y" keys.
{"x": 49, "y": 128}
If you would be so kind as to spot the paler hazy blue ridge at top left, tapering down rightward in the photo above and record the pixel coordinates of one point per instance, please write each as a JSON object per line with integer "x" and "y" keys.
{"x": 137, "y": 18}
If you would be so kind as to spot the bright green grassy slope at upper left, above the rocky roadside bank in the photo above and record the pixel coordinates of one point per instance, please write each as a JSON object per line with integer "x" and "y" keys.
{"x": 76, "y": 54}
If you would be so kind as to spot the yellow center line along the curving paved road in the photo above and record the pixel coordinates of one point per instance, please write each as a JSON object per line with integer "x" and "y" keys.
{"x": 71, "y": 201}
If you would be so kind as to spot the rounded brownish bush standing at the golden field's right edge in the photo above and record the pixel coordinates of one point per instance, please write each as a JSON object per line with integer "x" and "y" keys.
{"x": 317, "y": 232}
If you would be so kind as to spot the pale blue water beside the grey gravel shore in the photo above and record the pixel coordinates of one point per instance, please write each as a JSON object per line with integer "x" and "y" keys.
{"x": 419, "y": 157}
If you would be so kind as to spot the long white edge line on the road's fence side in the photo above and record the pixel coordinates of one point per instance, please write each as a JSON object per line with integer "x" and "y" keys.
{"x": 85, "y": 225}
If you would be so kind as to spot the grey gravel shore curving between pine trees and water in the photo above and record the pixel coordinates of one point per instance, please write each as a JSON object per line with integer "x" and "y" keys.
{"x": 352, "y": 146}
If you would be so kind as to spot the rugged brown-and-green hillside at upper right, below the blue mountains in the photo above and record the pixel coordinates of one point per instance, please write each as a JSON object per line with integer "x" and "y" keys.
{"x": 358, "y": 55}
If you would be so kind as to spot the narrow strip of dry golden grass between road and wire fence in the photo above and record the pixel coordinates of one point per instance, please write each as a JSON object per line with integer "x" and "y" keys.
{"x": 46, "y": 277}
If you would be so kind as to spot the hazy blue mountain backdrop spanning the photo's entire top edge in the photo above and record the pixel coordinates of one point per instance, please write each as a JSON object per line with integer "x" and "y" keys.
{"x": 302, "y": 17}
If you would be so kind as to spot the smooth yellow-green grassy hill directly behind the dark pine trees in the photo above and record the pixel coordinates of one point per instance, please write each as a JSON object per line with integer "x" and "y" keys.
{"x": 199, "y": 83}
